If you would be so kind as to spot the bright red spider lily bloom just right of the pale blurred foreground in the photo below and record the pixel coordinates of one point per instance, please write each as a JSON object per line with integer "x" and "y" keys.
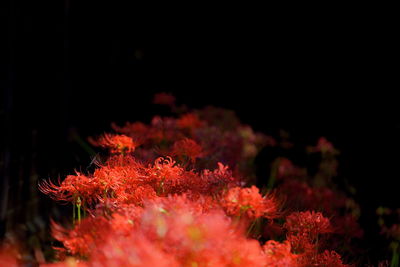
{"x": 248, "y": 202}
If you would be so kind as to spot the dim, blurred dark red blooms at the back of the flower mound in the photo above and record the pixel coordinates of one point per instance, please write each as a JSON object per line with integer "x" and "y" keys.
{"x": 197, "y": 139}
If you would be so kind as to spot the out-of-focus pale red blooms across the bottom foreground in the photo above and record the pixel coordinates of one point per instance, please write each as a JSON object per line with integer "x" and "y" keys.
{"x": 175, "y": 228}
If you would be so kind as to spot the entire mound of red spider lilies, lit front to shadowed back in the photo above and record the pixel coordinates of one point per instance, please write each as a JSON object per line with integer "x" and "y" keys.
{"x": 178, "y": 192}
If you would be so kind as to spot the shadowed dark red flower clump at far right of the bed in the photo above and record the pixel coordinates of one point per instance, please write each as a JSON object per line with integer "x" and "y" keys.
{"x": 304, "y": 190}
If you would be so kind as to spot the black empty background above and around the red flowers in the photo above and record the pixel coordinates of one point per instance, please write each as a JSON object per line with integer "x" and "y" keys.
{"x": 71, "y": 68}
